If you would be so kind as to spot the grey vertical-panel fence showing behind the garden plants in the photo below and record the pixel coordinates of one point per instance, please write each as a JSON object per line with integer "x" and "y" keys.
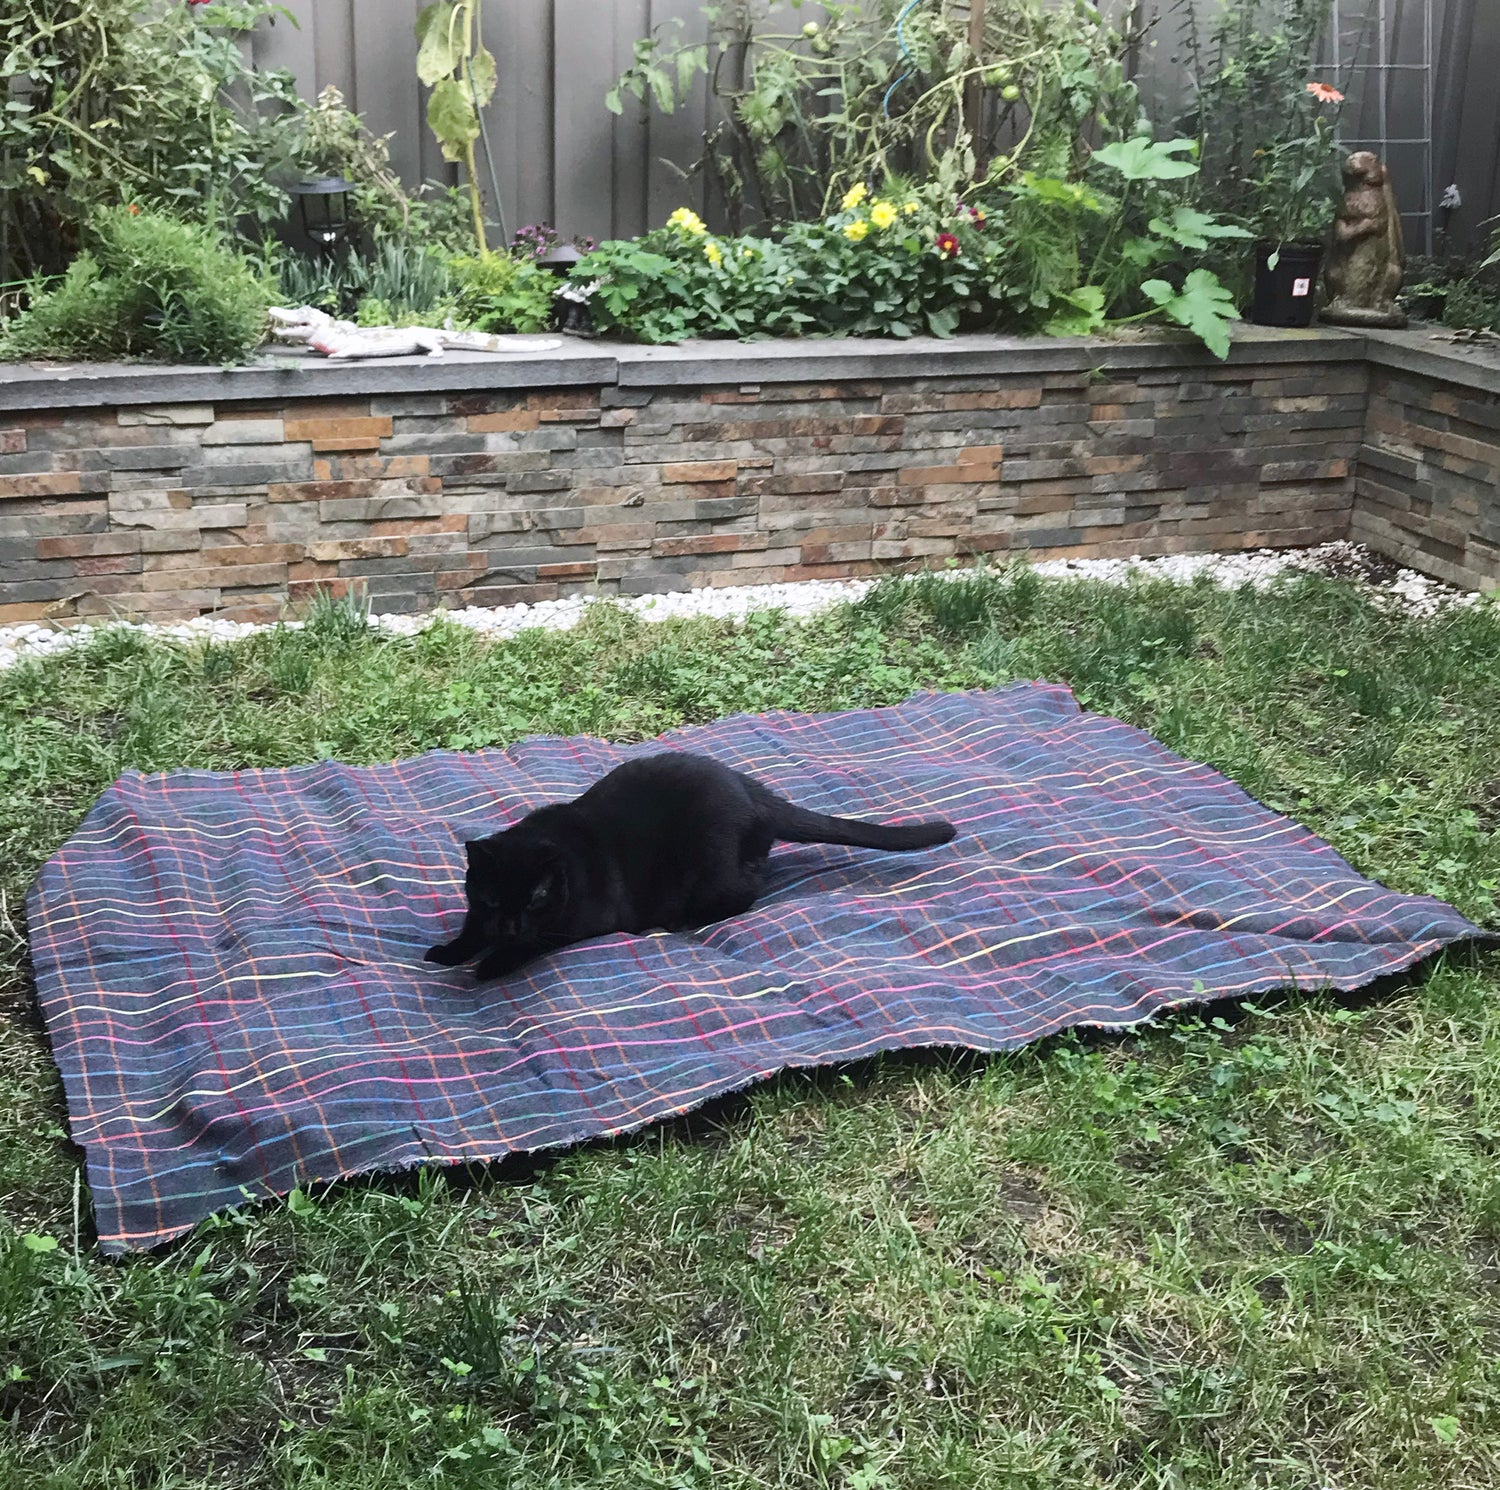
{"x": 562, "y": 158}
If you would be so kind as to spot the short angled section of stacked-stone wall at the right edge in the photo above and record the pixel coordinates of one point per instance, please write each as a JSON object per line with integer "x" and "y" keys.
{"x": 1429, "y": 476}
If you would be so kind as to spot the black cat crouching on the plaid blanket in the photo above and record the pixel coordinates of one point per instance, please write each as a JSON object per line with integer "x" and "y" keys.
{"x": 665, "y": 843}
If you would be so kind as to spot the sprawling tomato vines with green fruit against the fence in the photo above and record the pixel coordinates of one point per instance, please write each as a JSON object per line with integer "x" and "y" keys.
{"x": 880, "y": 88}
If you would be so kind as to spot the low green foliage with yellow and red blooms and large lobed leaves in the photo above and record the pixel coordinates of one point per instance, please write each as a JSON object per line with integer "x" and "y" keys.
{"x": 1051, "y": 254}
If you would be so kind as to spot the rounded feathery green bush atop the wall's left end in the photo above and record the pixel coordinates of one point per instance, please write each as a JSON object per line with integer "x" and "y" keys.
{"x": 151, "y": 287}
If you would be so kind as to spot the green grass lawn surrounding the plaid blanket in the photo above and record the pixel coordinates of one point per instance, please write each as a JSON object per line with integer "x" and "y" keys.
{"x": 1252, "y": 1248}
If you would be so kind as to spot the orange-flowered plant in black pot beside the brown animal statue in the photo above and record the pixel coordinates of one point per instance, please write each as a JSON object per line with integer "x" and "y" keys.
{"x": 1297, "y": 187}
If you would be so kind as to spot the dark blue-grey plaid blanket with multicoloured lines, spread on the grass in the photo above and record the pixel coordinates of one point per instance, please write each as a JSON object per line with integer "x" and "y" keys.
{"x": 232, "y": 969}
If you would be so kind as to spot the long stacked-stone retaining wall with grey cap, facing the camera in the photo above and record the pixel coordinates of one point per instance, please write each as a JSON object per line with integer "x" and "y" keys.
{"x": 490, "y": 484}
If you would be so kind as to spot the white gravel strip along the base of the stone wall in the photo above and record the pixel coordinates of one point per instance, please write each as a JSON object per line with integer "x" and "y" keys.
{"x": 1414, "y": 593}
